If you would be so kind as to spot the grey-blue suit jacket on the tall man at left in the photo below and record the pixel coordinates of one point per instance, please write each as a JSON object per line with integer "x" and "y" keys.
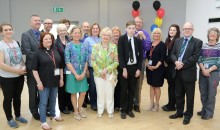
{"x": 30, "y": 45}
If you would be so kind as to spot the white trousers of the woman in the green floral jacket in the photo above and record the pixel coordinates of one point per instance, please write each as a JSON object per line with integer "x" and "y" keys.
{"x": 105, "y": 95}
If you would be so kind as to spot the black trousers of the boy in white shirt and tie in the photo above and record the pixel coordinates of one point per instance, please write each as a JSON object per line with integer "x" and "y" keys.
{"x": 128, "y": 88}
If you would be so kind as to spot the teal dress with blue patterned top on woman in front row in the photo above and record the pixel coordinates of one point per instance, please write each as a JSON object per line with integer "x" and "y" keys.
{"x": 77, "y": 55}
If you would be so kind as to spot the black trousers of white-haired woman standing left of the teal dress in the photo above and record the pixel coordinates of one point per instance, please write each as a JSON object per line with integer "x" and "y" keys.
{"x": 64, "y": 98}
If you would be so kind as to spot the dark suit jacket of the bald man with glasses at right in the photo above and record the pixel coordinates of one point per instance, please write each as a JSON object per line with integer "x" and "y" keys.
{"x": 190, "y": 58}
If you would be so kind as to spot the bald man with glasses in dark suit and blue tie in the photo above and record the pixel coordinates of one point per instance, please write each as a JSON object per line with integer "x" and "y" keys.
{"x": 185, "y": 54}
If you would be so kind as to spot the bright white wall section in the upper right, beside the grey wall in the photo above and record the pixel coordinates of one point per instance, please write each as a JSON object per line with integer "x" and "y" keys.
{"x": 198, "y": 12}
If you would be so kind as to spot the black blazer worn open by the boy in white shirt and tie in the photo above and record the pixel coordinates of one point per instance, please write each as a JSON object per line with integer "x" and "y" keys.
{"x": 123, "y": 51}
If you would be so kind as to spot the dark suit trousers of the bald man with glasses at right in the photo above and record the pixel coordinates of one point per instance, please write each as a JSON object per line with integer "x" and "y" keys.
{"x": 182, "y": 89}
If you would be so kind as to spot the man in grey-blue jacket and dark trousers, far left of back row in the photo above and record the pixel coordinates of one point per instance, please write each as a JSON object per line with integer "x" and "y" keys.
{"x": 30, "y": 44}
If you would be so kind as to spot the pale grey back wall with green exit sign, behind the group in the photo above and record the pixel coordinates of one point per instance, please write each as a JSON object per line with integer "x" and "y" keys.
{"x": 106, "y": 12}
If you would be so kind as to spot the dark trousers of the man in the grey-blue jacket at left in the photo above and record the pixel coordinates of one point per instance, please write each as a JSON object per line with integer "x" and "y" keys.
{"x": 33, "y": 93}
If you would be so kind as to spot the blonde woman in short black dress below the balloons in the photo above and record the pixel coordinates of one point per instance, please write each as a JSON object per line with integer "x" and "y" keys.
{"x": 155, "y": 68}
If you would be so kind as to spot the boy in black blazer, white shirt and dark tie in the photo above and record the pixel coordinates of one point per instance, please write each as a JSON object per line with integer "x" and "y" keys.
{"x": 130, "y": 62}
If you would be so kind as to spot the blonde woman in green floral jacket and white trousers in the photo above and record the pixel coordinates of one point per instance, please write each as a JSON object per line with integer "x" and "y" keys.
{"x": 104, "y": 62}
